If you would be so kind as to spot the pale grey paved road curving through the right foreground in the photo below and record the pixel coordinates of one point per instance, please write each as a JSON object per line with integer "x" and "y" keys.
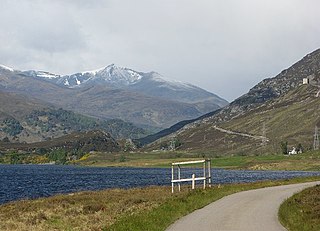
{"x": 254, "y": 210}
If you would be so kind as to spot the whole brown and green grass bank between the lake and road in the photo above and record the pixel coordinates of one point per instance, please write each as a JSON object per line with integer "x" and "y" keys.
{"x": 151, "y": 208}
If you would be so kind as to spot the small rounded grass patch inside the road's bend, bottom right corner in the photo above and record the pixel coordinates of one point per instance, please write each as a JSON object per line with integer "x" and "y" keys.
{"x": 301, "y": 212}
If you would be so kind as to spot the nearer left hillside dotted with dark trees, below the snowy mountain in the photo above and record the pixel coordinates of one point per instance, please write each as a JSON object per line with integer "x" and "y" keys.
{"x": 24, "y": 119}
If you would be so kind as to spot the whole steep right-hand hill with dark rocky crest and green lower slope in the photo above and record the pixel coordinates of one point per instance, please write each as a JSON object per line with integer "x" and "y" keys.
{"x": 277, "y": 110}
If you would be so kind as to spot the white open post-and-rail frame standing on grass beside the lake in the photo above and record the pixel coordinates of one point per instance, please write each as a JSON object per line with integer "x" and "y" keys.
{"x": 206, "y": 178}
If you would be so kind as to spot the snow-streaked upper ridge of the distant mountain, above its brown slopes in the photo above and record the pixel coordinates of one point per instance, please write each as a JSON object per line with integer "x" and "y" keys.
{"x": 148, "y": 83}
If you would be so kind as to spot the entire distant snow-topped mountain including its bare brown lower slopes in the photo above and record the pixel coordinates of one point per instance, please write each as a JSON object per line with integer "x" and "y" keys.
{"x": 144, "y": 99}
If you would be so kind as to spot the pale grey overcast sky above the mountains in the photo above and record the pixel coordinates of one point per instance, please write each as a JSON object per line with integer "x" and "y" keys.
{"x": 223, "y": 46}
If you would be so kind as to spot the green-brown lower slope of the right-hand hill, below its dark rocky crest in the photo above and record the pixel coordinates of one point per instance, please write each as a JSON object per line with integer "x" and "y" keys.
{"x": 290, "y": 118}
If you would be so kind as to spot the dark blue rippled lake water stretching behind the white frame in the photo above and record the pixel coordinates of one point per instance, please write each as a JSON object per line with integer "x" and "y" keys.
{"x": 32, "y": 181}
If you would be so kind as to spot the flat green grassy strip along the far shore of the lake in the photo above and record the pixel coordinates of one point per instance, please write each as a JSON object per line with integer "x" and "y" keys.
{"x": 306, "y": 161}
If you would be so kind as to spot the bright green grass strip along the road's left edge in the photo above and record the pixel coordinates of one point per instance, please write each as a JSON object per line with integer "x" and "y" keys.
{"x": 174, "y": 208}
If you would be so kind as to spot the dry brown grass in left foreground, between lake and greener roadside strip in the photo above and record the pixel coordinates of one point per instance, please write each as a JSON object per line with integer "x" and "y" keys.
{"x": 80, "y": 211}
